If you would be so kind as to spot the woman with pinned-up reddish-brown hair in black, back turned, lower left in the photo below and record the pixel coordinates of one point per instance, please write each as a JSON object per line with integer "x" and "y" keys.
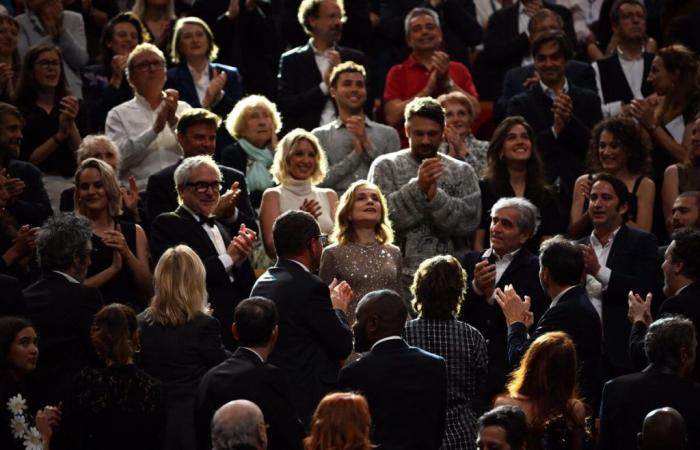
{"x": 118, "y": 406}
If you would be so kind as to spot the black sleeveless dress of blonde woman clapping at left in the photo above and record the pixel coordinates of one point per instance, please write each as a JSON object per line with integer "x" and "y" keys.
{"x": 122, "y": 287}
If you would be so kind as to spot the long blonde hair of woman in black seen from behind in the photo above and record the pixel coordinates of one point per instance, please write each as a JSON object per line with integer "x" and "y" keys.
{"x": 180, "y": 287}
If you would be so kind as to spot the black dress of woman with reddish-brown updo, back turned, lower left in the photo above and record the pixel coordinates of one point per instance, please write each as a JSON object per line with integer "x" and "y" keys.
{"x": 119, "y": 407}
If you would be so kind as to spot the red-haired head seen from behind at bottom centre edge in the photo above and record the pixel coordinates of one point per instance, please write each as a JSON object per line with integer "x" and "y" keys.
{"x": 341, "y": 422}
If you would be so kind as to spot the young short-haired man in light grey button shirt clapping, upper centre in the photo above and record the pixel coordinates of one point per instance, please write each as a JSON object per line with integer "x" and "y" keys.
{"x": 352, "y": 141}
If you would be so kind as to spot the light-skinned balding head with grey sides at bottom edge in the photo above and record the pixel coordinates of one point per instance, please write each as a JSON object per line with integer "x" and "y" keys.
{"x": 236, "y": 425}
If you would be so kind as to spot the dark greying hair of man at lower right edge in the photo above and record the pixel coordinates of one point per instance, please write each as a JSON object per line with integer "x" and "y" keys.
{"x": 665, "y": 339}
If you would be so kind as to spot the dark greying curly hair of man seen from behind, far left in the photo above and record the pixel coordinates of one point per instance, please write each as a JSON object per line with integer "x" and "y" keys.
{"x": 61, "y": 239}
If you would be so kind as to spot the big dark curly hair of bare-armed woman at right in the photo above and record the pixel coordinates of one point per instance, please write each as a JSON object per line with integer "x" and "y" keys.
{"x": 634, "y": 142}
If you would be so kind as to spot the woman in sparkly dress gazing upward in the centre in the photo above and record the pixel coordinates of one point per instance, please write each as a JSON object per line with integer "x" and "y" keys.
{"x": 362, "y": 253}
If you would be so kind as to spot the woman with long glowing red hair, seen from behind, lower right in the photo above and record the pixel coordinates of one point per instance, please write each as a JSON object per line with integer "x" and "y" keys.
{"x": 544, "y": 387}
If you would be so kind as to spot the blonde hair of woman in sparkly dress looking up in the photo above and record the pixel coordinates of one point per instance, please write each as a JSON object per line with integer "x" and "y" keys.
{"x": 344, "y": 232}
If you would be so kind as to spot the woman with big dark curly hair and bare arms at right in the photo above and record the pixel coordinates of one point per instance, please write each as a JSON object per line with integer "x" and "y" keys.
{"x": 620, "y": 147}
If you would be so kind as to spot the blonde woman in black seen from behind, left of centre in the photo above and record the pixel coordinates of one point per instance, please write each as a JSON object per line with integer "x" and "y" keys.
{"x": 180, "y": 341}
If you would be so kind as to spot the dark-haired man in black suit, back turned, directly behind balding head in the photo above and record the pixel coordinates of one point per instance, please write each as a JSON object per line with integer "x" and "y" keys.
{"x": 246, "y": 375}
